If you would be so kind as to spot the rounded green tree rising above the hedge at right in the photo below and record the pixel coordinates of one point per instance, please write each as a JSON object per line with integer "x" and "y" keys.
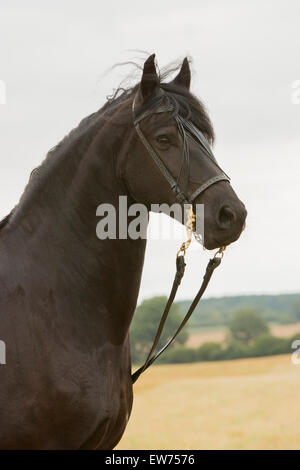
{"x": 246, "y": 325}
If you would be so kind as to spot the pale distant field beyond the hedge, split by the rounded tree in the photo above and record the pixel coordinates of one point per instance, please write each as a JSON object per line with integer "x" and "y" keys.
{"x": 203, "y": 335}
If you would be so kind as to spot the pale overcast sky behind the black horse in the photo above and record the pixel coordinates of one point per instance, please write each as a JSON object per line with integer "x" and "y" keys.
{"x": 54, "y": 56}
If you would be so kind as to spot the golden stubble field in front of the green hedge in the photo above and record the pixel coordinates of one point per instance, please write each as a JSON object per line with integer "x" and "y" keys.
{"x": 241, "y": 404}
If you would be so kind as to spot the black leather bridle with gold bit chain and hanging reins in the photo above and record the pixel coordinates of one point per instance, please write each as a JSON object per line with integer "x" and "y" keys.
{"x": 187, "y": 129}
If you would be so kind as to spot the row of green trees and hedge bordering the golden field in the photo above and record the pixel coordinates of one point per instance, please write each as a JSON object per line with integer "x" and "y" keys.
{"x": 248, "y": 336}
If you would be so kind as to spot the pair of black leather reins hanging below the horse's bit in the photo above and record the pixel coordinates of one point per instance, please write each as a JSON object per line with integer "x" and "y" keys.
{"x": 212, "y": 265}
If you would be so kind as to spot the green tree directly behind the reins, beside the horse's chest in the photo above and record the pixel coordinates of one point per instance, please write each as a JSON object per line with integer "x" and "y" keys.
{"x": 145, "y": 323}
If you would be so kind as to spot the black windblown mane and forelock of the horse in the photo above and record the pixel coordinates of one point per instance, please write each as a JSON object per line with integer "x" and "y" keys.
{"x": 183, "y": 102}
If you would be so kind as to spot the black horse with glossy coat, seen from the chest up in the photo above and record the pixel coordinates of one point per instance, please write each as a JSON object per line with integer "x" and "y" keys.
{"x": 66, "y": 297}
